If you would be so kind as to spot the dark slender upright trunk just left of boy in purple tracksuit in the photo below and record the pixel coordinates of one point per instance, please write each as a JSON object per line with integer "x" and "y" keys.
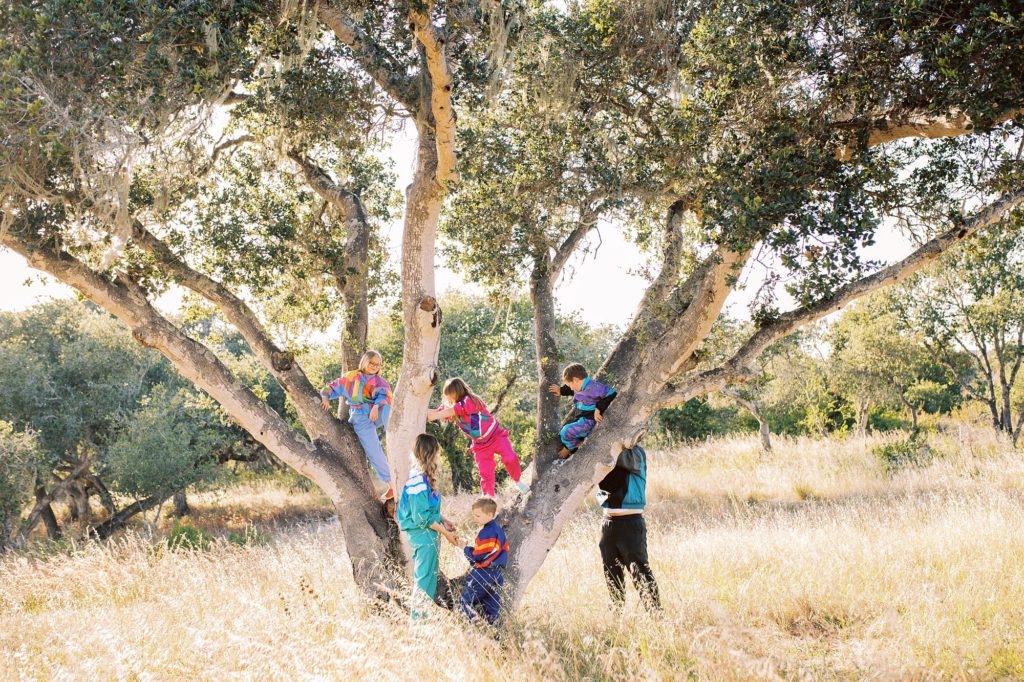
{"x": 548, "y": 362}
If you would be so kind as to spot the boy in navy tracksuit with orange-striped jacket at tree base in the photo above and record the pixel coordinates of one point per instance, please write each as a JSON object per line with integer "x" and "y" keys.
{"x": 488, "y": 559}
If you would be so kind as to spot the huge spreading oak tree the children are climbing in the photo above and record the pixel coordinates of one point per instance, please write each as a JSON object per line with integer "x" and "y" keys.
{"x": 761, "y": 132}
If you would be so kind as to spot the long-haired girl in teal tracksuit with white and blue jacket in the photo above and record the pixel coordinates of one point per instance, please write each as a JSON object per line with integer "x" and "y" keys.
{"x": 420, "y": 517}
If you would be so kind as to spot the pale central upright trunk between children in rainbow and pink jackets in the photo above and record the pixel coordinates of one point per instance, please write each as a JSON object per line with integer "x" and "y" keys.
{"x": 421, "y": 313}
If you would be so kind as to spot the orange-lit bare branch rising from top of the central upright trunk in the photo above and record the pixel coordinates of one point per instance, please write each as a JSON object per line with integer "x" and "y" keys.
{"x": 441, "y": 97}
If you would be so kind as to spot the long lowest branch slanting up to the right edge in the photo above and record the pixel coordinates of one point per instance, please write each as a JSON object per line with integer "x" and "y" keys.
{"x": 738, "y": 368}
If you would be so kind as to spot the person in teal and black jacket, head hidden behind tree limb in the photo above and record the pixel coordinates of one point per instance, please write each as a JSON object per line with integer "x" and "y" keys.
{"x": 623, "y": 495}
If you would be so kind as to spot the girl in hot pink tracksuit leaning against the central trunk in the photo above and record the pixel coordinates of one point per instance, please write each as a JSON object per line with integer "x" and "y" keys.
{"x": 488, "y": 439}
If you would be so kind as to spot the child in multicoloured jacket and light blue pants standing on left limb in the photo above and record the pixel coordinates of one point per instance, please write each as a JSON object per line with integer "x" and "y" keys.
{"x": 369, "y": 399}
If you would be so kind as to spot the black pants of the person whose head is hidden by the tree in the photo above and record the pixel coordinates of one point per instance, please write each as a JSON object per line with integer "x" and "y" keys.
{"x": 624, "y": 545}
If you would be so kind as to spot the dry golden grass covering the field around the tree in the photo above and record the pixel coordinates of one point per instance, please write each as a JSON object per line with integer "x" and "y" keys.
{"x": 807, "y": 564}
